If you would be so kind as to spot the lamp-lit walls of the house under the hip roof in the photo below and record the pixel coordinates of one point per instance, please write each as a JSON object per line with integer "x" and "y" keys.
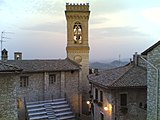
{"x": 111, "y": 100}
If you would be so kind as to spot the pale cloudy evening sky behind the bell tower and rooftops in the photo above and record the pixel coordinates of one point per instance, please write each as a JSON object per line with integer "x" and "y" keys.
{"x": 117, "y": 28}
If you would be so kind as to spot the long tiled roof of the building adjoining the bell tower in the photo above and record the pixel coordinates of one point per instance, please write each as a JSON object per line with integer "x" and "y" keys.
{"x": 45, "y": 65}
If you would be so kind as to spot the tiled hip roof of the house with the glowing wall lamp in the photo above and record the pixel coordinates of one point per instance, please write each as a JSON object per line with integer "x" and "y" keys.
{"x": 126, "y": 76}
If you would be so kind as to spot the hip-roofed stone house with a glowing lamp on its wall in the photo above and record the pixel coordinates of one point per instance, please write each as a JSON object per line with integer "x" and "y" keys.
{"x": 120, "y": 93}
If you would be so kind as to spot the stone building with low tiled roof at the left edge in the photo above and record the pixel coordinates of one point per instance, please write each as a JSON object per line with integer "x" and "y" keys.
{"x": 8, "y": 96}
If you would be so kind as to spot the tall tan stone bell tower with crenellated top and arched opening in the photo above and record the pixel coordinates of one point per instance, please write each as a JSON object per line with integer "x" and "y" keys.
{"x": 77, "y": 16}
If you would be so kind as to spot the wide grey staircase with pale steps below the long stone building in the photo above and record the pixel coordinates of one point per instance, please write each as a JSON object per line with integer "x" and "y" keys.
{"x": 57, "y": 109}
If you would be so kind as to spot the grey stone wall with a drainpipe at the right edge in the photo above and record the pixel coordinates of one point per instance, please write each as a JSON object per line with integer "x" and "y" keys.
{"x": 153, "y": 102}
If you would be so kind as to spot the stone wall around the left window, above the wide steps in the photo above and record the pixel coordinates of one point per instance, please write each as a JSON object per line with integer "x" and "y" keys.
{"x": 34, "y": 90}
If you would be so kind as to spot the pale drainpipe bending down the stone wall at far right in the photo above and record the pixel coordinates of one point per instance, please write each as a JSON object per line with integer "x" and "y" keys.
{"x": 157, "y": 90}
